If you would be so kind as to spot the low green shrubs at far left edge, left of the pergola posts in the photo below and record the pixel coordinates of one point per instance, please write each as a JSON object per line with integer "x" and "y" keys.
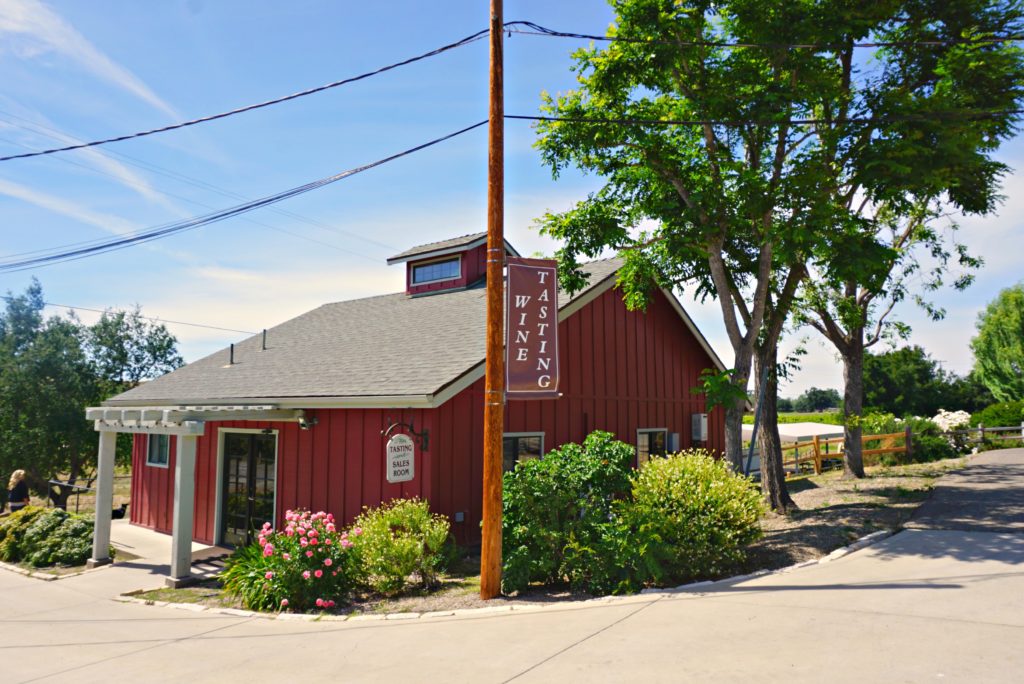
{"x": 47, "y": 537}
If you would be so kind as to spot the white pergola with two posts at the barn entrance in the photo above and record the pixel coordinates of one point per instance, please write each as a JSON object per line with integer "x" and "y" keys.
{"x": 188, "y": 424}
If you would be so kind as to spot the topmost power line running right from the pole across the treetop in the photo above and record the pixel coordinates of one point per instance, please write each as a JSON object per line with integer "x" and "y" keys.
{"x": 537, "y": 30}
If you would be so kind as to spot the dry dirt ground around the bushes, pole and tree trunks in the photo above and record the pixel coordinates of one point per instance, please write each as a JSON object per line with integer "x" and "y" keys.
{"x": 832, "y": 512}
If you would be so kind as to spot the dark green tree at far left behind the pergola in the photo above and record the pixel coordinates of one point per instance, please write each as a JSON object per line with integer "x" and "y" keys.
{"x": 50, "y": 374}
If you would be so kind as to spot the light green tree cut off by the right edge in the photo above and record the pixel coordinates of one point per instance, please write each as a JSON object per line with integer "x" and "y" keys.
{"x": 999, "y": 349}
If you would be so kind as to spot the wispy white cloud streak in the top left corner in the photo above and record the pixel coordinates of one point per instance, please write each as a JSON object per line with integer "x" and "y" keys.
{"x": 28, "y": 28}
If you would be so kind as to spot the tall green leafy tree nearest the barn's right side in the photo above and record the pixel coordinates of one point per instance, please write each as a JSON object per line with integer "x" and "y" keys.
{"x": 789, "y": 150}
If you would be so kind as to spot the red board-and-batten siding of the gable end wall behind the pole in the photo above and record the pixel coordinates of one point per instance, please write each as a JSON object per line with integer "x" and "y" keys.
{"x": 622, "y": 372}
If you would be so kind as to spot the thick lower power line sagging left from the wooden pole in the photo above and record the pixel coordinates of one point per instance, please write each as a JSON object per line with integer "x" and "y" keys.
{"x": 165, "y": 231}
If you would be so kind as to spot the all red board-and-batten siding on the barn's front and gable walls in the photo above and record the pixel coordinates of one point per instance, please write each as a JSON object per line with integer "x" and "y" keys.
{"x": 621, "y": 371}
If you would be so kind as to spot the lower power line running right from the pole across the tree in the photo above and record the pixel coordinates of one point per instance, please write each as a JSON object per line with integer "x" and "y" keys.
{"x": 965, "y": 115}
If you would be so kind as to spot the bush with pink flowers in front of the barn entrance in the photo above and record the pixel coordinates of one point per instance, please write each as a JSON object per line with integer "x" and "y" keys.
{"x": 308, "y": 565}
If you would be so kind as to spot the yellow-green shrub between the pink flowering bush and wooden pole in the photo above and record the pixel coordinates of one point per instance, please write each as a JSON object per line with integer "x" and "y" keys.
{"x": 399, "y": 541}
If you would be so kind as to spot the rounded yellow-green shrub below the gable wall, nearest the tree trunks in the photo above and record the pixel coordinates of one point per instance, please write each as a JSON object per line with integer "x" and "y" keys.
{"x": 689, "y": 518}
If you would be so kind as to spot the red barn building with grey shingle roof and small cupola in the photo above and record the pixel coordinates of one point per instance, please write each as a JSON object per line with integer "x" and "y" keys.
{"x": 300, "y": 416}
